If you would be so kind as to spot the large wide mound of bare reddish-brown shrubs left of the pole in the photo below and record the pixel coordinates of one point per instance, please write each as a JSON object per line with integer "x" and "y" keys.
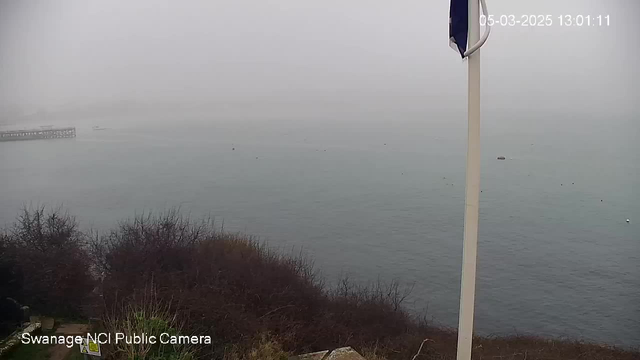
{"x": 235, "y": 288}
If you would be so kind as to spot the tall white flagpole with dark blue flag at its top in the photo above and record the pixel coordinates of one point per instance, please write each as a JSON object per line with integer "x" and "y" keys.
{"x": 470, "y": 244}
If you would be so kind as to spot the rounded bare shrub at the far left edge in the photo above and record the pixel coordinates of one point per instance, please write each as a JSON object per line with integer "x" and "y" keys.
{"x": 49, "y": 254}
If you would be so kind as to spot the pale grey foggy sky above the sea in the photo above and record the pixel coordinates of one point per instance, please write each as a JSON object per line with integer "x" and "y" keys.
{"x": 391, "y": 54}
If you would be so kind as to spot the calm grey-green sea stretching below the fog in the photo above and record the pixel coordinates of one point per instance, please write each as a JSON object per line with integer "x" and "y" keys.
{"x": 553, "y": 258}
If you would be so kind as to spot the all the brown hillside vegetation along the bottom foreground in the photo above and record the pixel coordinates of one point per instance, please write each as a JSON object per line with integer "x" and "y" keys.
{"x": 168, "y": 273}
